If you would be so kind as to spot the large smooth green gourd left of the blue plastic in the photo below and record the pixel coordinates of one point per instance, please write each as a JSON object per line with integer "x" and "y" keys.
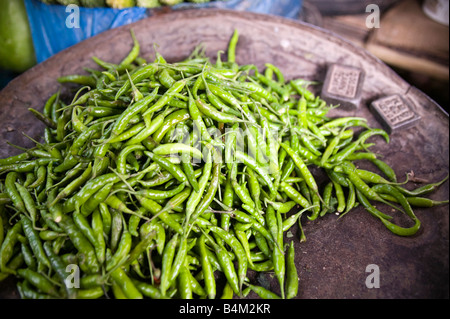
{"x": 16, "y": 49}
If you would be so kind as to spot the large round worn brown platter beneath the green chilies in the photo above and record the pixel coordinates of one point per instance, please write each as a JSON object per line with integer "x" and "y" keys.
{"x": 332, "y": 262}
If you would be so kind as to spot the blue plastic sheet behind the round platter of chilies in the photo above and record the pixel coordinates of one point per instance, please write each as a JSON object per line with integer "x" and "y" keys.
{"x": 55, "y": 28}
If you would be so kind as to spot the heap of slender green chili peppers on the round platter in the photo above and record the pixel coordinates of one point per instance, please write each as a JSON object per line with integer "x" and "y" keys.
{"x": 175, "y": 180}
